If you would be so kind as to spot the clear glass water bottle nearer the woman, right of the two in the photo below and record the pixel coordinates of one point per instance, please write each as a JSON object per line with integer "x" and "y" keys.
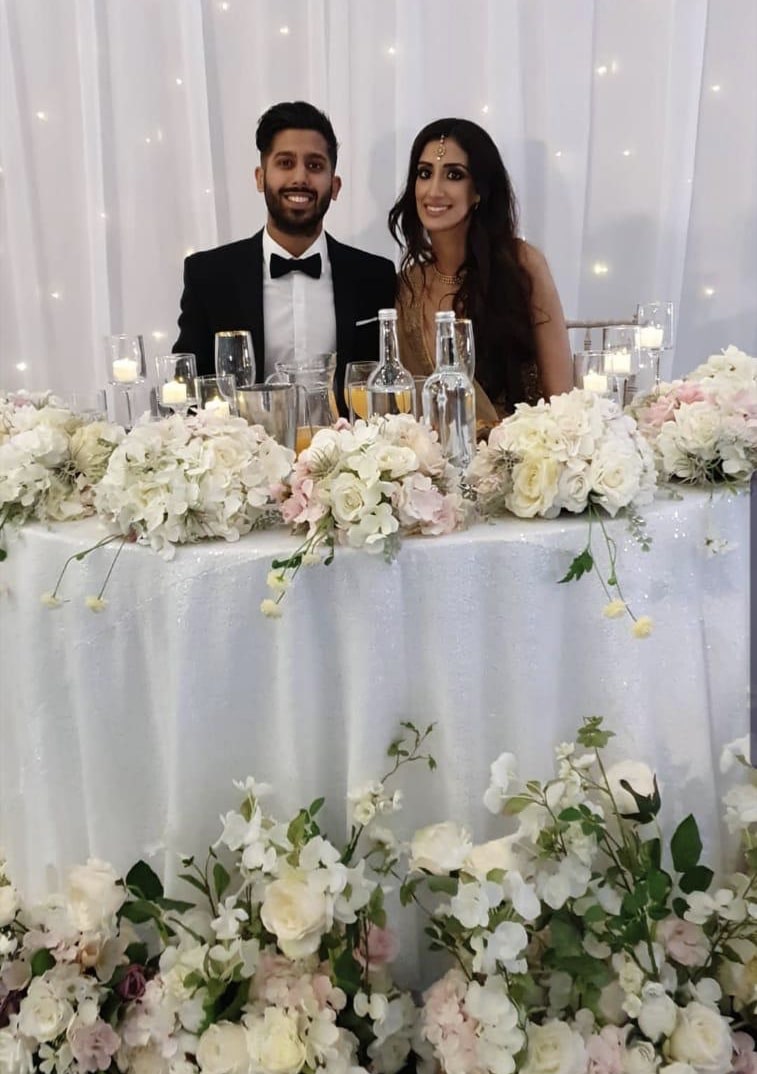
{"x": 449, "y": 399}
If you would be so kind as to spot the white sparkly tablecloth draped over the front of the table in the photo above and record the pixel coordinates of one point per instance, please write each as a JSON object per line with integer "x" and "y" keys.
{"x": 122, "y": 733}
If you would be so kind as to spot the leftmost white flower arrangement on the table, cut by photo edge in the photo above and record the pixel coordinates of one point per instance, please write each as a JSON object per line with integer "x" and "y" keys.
{"x": 51, "y": 460}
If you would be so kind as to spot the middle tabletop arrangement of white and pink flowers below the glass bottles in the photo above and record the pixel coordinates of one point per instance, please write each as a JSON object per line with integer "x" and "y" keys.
{"x": 365, "y": 486}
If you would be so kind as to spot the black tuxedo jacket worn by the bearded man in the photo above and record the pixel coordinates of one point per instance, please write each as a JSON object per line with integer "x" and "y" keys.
{"x": 224, "y": 291}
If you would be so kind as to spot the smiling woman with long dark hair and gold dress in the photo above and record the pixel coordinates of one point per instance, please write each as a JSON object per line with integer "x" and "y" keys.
{"x": 458, "y": 224}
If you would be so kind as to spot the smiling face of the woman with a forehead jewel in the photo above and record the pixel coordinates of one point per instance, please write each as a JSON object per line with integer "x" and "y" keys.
{"x": 445, "y": 192}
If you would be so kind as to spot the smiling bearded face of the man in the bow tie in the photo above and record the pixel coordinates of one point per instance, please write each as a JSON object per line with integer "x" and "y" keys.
{"x": 298, "y": 181}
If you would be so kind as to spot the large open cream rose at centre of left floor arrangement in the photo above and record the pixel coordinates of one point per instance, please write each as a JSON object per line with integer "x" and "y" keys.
{"x": 298, "y": 916}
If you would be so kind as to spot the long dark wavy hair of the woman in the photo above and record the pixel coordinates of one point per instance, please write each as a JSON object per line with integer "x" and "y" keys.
{"x": 497, "y": 289}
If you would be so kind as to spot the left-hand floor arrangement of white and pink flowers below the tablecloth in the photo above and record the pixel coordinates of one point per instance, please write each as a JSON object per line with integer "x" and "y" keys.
{"x": 282, "y": 967}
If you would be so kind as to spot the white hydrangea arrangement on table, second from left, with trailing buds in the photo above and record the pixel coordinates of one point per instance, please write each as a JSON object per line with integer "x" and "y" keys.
{"x": 186, "y": 480}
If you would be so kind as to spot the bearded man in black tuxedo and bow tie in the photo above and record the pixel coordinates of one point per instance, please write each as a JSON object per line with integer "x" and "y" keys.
{"x": 295, "y": 288}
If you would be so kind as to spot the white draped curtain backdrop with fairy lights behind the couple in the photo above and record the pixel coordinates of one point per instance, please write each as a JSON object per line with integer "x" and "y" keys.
{"x": 127, "y": 140}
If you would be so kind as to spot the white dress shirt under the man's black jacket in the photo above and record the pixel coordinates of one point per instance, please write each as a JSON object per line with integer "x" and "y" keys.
{"x": 298, "y": 311}
